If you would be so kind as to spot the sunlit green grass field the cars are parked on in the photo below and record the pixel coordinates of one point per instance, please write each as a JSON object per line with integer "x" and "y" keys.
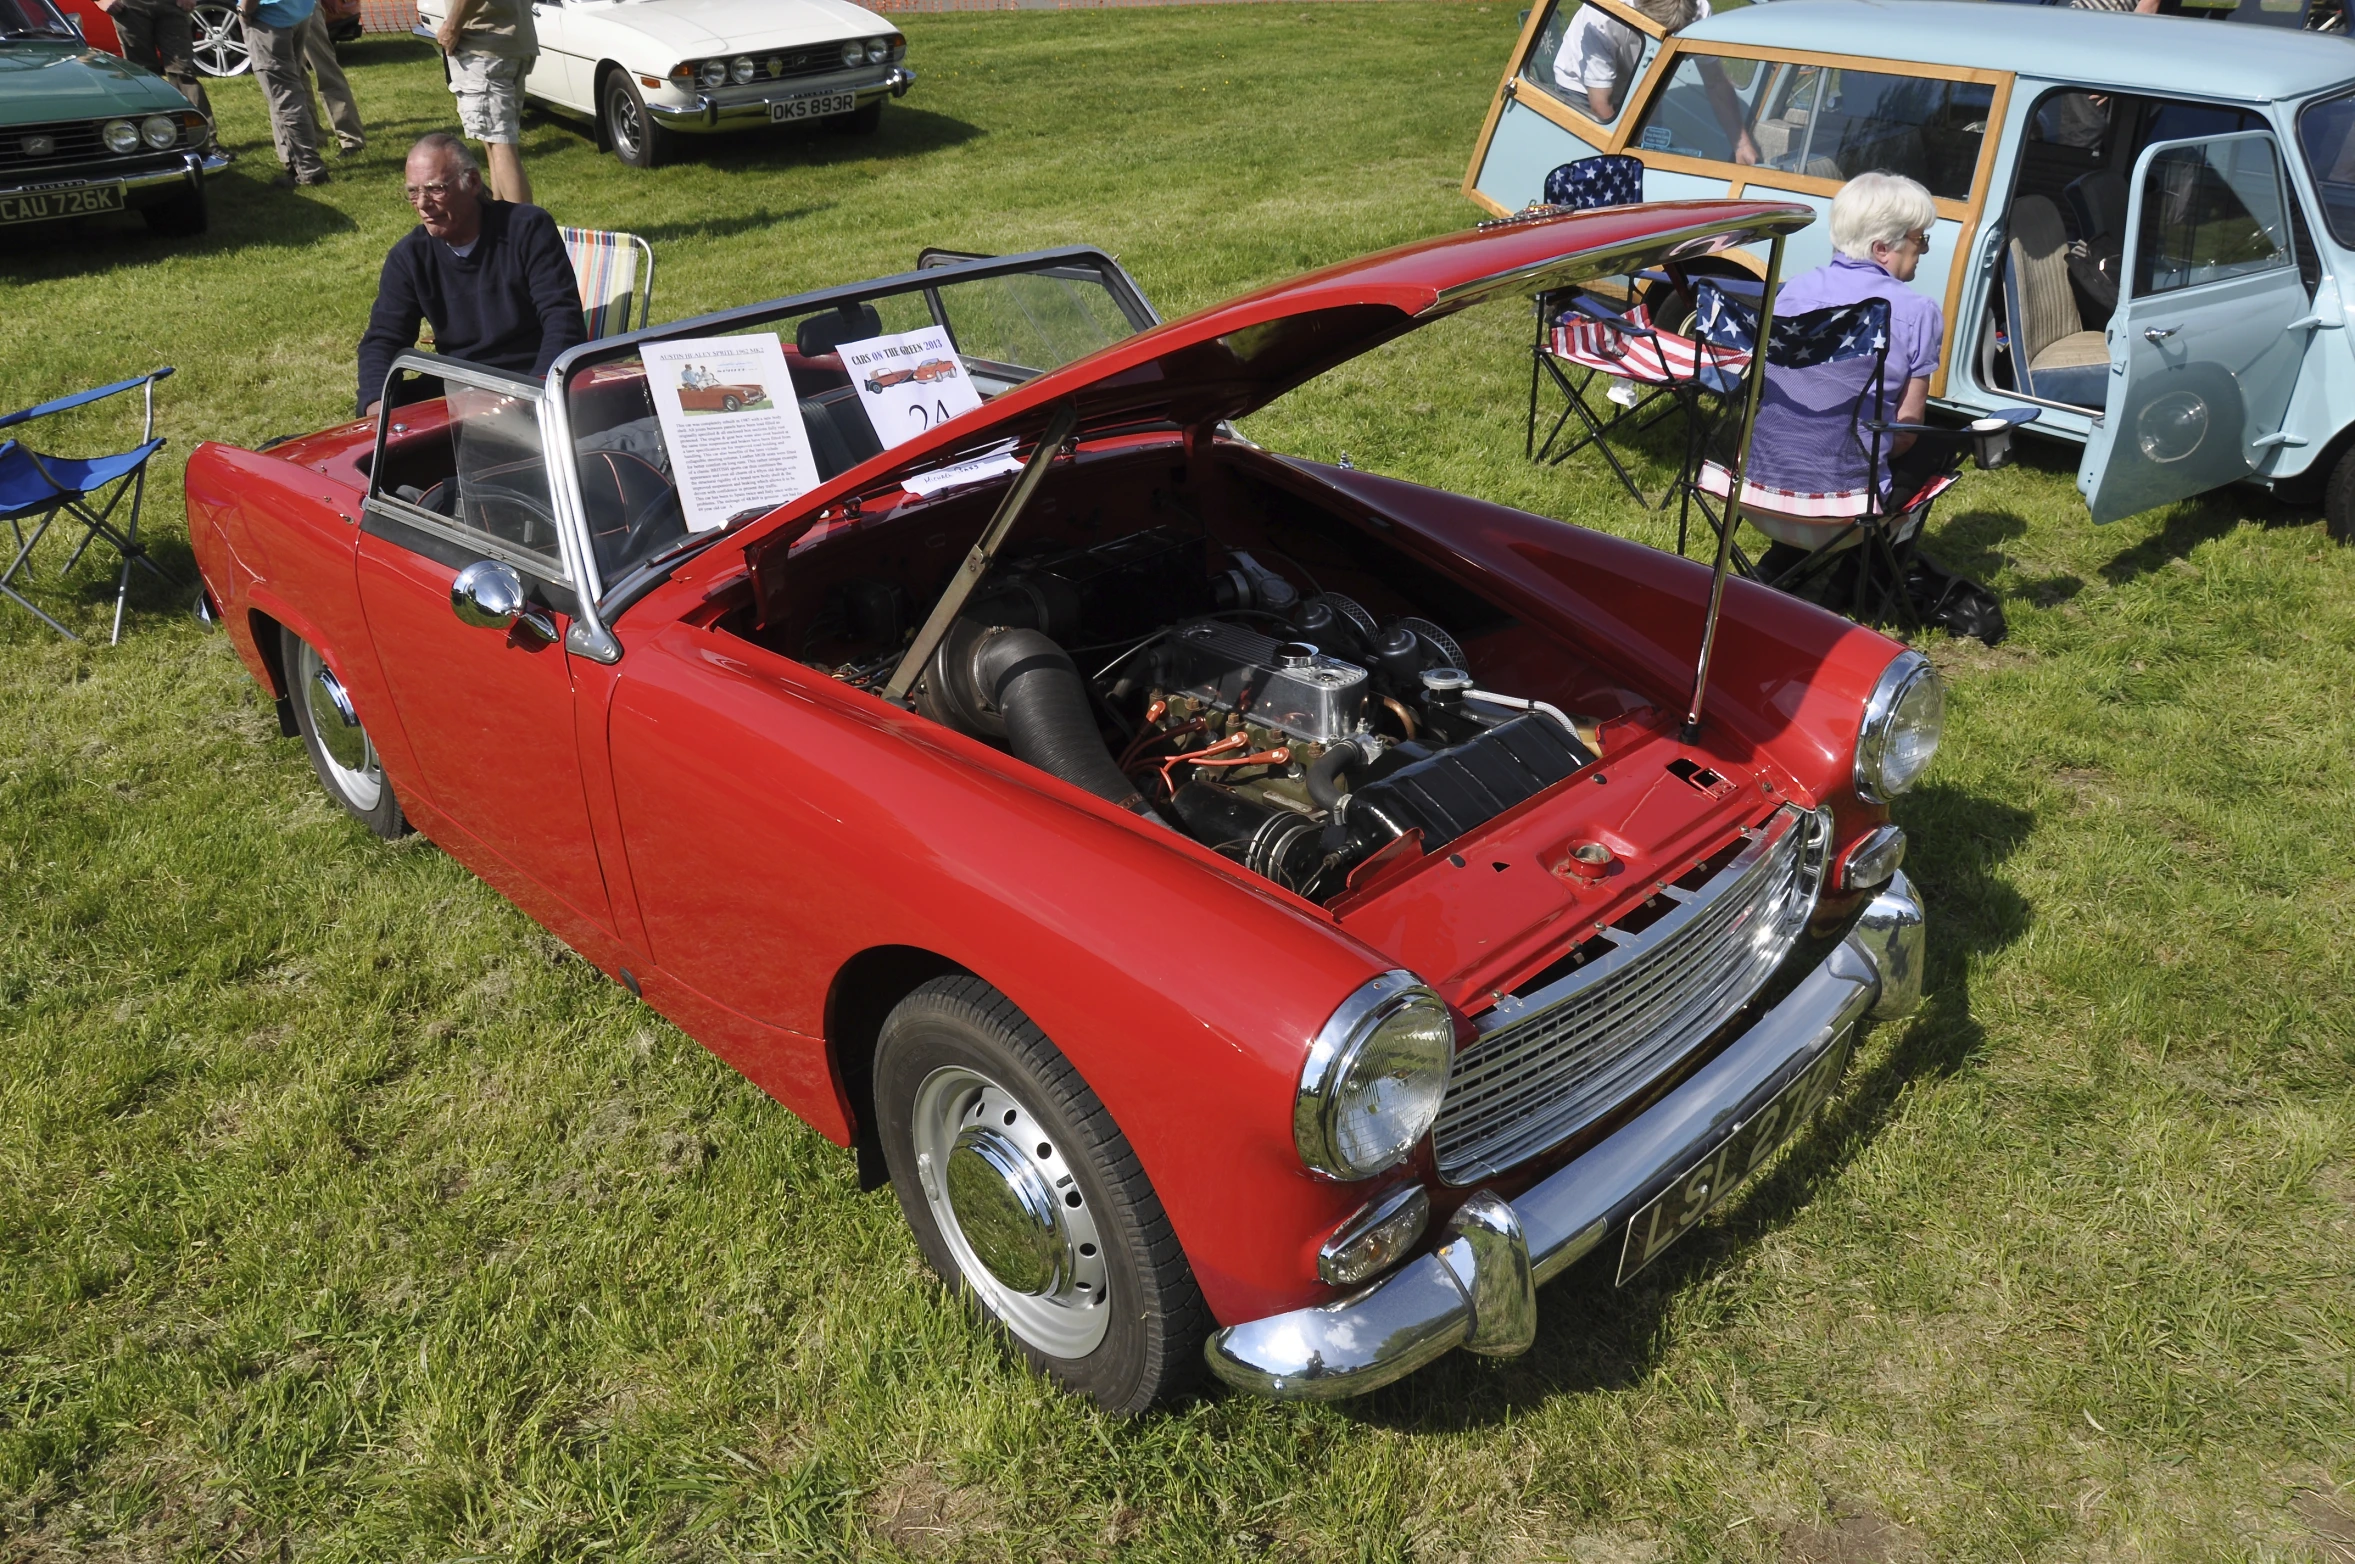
{"x": 345, "y": 1217}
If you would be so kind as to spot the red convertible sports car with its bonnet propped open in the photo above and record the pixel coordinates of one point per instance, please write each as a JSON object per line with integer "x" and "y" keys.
{"x": 1252, "y": 913}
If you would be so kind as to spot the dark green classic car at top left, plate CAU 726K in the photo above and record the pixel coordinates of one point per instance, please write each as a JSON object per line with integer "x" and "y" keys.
{"x": 88, "y": 133}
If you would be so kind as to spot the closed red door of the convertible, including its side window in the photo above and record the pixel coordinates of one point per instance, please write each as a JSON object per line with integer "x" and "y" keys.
{"x": 489, "y": 710}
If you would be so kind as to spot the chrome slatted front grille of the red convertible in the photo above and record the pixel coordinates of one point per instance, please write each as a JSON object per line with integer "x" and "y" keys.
{"x": 1558, "y": 1061}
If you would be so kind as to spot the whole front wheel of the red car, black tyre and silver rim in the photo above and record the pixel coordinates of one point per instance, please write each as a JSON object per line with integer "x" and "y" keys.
{"x": 997, "y": 1146}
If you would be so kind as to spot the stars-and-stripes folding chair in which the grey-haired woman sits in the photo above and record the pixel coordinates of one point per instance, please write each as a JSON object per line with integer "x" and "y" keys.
{"x": 1831, "y": 364}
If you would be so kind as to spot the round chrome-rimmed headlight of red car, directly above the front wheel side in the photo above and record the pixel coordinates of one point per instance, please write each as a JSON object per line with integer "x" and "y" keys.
{"x": 1374, "y": 1080}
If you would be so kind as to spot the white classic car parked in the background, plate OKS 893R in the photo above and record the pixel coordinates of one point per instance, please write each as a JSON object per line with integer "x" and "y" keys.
{"x": 654, "y": 72}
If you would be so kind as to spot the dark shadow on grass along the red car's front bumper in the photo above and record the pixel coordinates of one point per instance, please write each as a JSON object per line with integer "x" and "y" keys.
{"x": 1603, "y": 1337}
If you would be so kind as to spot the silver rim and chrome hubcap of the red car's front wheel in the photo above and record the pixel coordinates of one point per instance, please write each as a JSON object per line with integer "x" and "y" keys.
{"x": 1011, "y": 1212}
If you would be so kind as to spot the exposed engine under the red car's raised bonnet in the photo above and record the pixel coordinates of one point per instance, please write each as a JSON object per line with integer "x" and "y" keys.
{"x": 1292, "y": 731}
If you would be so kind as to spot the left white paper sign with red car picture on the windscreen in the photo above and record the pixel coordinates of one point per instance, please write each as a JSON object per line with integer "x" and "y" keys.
{"x": 734, "y": 425}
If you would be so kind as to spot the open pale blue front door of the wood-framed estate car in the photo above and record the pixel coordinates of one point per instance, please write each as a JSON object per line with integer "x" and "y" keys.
{"x": 2210, "y": 326}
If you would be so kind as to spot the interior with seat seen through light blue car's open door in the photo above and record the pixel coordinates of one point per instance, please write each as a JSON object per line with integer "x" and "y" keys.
{"x": 2067, "y": 234}
